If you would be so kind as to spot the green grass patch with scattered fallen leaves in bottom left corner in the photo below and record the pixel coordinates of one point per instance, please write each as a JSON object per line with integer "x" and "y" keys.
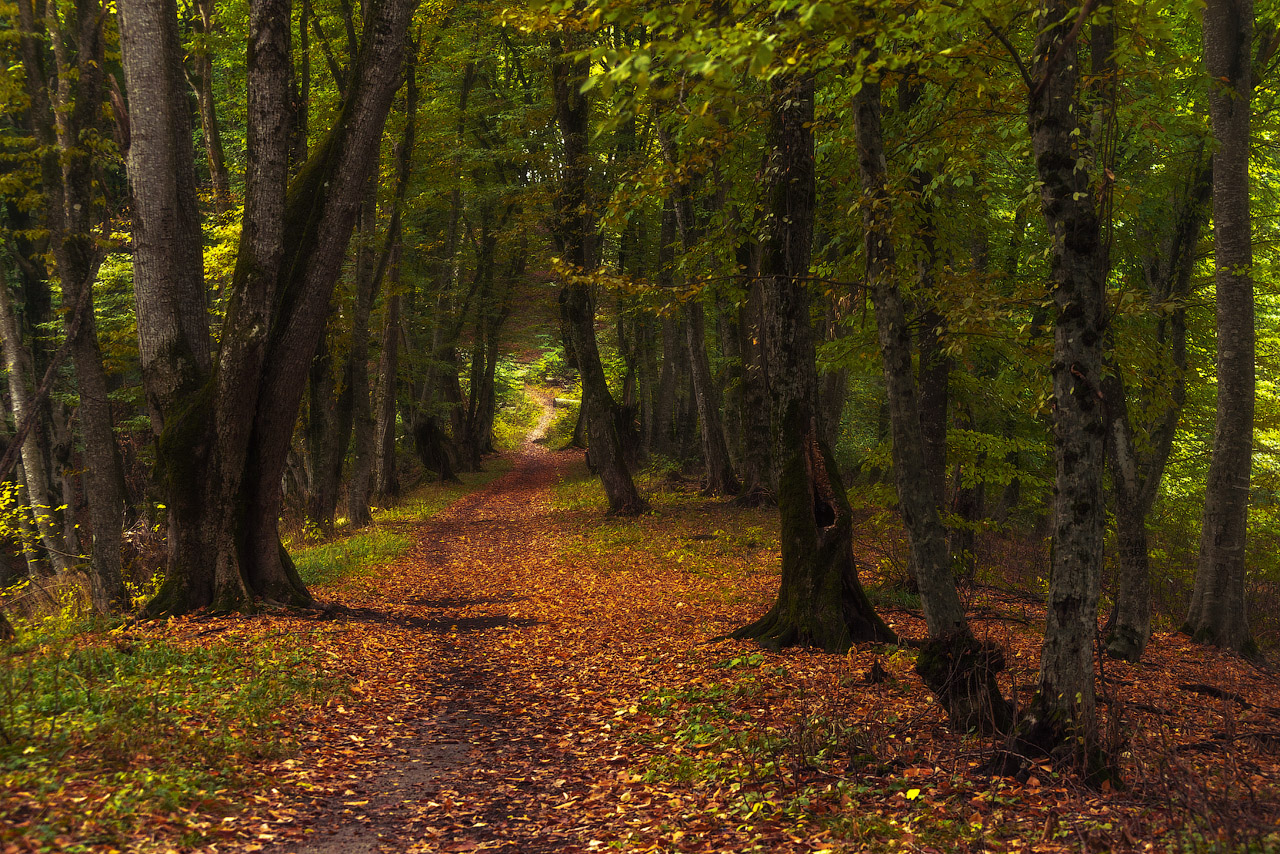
{"x": 102, "y": 733}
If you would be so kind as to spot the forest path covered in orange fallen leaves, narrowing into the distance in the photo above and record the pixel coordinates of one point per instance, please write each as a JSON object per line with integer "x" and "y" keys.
{"x": 490, "y": 674}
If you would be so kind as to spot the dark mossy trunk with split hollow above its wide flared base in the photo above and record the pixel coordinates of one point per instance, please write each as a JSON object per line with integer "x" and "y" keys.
{"x": 821, "y": 602}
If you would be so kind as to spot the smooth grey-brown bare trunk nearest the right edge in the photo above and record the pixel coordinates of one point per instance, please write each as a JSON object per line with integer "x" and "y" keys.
{"x": 1218, "y": 610}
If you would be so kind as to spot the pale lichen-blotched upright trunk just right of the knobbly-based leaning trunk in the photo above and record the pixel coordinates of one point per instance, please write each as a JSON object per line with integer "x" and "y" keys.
{"x": 1063, "y": 715}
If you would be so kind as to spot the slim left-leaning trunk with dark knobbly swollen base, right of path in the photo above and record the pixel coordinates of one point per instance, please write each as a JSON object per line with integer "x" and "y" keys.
{"x": 959, "y": 670}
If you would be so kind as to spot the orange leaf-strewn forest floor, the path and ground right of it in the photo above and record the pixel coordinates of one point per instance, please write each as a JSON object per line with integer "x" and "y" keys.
{"x": 532, "y": 677}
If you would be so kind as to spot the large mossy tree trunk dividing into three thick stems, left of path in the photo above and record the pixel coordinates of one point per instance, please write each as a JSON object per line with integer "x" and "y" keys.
{"x": 225, "y": 424}
